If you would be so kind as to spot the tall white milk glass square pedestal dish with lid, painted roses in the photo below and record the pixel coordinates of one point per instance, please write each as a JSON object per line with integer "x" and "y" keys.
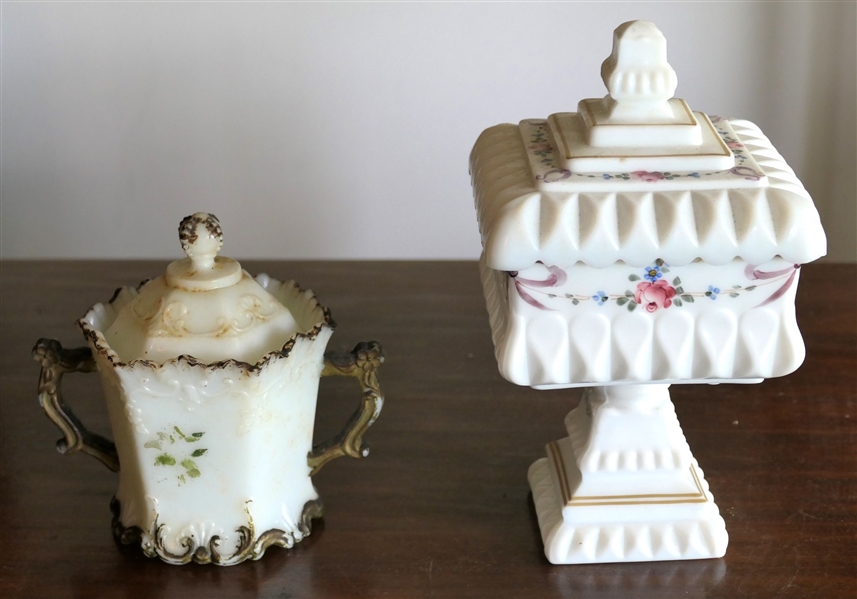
{"x": 628, "y": 246}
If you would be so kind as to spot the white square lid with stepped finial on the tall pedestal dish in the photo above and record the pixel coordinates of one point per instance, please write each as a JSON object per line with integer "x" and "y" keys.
{"x": 636, "y": 176}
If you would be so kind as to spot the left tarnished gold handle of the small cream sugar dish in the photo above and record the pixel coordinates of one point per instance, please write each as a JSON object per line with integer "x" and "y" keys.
{"x": 57, "y": 361}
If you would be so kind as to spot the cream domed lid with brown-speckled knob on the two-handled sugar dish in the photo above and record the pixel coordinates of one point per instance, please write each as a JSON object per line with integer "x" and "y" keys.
{"x": 205, "y": 306}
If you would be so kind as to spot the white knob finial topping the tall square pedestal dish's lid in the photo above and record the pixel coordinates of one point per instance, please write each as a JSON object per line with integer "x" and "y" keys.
{"x": 637, "y": 74}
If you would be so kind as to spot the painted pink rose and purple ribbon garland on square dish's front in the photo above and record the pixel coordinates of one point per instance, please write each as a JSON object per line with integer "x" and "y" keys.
{"x": 652, "y": 291}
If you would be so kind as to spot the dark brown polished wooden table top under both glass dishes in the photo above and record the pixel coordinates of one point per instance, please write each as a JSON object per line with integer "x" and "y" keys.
{"x": 442, "y": 507}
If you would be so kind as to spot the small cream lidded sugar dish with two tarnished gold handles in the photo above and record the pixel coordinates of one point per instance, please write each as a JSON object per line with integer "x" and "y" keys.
{"x": 211, "y": 376}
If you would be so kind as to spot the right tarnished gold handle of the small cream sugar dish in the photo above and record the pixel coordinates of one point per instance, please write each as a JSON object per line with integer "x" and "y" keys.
{"x": 361, "y": 363}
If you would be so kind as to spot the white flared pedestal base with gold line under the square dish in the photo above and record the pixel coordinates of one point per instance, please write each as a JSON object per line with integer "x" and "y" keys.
{"x": 593, "y": 510}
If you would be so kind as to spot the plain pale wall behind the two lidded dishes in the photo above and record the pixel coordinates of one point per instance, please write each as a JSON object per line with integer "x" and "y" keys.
{"x": 343, "y": 130}
